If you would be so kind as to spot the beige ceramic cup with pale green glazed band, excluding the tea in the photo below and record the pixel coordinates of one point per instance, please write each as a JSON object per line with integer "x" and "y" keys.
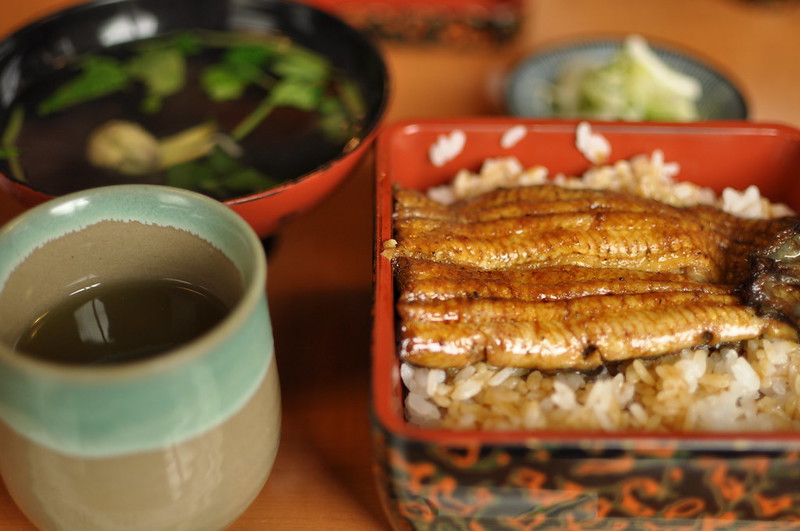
{"x": 183, "y": 440}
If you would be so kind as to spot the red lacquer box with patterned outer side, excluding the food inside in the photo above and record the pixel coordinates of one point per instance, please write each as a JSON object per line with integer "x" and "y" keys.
{"x": 445, "y": 479}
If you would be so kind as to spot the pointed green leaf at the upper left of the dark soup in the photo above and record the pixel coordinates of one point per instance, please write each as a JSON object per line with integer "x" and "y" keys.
{"x": 99, "y": 76}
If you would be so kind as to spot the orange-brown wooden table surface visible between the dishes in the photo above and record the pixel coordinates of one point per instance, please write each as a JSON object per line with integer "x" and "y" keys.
{"x": 320, "y": 264}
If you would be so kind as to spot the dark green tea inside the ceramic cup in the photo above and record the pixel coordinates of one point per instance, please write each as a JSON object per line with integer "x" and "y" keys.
{"x": 120, "y": 323}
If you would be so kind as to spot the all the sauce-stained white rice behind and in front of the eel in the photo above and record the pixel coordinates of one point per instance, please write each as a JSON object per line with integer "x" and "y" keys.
{"x": 755, "y": 388}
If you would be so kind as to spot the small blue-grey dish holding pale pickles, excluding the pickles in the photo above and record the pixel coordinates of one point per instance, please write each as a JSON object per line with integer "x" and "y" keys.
{"x": 527, "y": 87}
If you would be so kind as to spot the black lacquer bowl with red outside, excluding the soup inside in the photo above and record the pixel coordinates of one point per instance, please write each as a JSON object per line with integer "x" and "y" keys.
{"x": 55, "y": 42}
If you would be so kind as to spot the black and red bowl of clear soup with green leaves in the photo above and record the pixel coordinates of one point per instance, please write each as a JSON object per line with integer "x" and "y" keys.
{"x": 264, "y": 105}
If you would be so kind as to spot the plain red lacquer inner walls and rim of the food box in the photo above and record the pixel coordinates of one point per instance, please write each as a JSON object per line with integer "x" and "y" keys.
{"x": 714, "y": 154}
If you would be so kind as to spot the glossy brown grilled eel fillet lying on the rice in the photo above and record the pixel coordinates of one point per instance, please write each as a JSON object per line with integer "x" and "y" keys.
{"x": 555, "y": 278}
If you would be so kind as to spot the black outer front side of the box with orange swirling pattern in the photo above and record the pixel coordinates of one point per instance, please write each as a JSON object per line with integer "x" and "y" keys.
{"x": 431, "y": 487}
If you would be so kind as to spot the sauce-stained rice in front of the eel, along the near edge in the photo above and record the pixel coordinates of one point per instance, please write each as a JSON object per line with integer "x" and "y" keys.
{"x": 703, "y": 389}
